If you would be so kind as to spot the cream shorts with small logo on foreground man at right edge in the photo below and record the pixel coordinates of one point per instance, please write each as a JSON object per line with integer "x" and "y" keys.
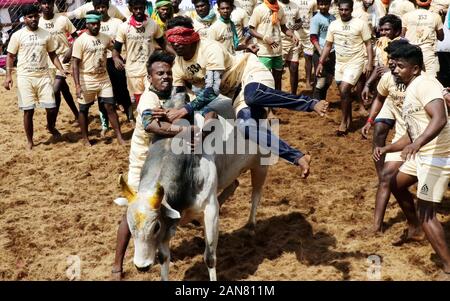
{"x": 433, "y": 175}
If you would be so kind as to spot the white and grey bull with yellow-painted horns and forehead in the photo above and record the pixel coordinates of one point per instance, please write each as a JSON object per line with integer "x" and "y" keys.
{"x": 176, "y": 188}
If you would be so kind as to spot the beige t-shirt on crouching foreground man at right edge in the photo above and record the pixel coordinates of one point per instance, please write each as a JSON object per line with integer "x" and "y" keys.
{"x": 419, "y": 93}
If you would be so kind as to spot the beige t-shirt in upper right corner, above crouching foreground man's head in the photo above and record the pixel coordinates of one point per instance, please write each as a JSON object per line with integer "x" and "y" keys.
{"x": 421, "y": 26}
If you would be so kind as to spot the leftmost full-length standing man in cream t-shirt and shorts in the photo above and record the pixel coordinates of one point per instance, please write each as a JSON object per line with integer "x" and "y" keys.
{"x": 33, "y": 45}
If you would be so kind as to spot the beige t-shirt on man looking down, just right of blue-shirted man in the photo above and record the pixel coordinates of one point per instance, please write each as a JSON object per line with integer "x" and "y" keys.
{"x": 348, "y": 39}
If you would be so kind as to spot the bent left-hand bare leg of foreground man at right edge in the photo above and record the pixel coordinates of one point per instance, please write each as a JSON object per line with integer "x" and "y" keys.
{"x": 399, "y": 187}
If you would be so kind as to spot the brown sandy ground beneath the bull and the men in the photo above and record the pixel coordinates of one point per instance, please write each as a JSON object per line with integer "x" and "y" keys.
{"x": 56, "y": 203}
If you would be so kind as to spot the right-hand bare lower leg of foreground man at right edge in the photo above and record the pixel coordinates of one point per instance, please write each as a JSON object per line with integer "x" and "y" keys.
{"x": 434, "y": 231}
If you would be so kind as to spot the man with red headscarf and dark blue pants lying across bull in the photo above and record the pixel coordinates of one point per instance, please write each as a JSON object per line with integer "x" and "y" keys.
{"x": 243, "y": 80}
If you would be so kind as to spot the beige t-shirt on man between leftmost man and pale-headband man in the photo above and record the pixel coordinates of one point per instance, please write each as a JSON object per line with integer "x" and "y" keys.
{"x": 58, "y": 27}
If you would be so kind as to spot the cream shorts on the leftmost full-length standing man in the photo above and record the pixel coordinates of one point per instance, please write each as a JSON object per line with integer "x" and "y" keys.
{"x": 35, "y": 91}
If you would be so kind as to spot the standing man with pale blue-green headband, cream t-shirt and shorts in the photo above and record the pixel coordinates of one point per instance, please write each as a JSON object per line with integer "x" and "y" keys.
{"x": 91, "y": 78}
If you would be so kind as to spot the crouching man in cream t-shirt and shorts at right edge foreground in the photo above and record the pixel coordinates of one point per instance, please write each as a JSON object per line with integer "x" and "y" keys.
{"x": 425, "y": 151}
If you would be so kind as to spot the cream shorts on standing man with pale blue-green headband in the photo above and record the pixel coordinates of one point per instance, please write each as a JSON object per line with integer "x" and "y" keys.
{"x": 92, "y": 90}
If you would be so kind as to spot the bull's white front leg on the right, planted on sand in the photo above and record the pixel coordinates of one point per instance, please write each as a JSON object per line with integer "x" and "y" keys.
{"x": 211, "y": 218}
